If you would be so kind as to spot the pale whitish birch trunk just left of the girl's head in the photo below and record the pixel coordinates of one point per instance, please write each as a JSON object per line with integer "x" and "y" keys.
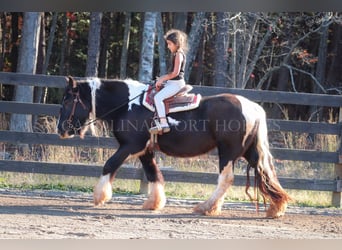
{"x": 147, "y": 48}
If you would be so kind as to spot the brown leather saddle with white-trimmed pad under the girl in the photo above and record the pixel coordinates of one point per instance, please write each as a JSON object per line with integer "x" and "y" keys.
{"x": 182, "y": 101}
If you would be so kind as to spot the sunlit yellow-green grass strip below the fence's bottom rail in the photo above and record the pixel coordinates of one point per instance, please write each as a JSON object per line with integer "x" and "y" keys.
{"x": 176, "y": 190}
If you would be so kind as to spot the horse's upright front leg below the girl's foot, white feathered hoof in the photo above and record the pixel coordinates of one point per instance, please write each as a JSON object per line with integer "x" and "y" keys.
{"x": 156, "y": 199}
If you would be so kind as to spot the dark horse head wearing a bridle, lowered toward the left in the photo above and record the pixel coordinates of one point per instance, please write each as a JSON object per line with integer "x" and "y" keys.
{"x": 76, "y": 106}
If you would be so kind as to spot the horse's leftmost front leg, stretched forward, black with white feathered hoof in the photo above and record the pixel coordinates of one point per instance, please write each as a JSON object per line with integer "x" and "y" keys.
{"x": 103, "y": 189}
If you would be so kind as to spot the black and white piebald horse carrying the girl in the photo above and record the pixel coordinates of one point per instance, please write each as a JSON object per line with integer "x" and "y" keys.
{"x": 231, "y": 123}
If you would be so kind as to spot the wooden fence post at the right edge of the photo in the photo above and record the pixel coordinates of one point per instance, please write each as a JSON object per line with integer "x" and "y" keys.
{"x": 337, "y": 196}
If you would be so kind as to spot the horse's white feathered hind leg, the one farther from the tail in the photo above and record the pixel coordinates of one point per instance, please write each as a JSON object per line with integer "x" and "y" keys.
{"x": 213, "y": 205}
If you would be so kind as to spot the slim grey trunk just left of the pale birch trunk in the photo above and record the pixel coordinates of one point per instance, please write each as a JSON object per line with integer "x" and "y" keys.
{"x": 125, "y": 46}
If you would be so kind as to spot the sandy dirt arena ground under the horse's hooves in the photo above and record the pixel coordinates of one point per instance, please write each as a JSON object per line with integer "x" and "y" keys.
{"x": 68, "y": 215}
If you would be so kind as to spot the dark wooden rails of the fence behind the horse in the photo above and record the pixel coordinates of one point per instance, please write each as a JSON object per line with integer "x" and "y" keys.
{"x": 129, "y": 172}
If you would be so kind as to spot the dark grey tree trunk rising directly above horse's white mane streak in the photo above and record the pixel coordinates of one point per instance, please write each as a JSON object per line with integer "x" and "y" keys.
{"x": 94, "y": 38}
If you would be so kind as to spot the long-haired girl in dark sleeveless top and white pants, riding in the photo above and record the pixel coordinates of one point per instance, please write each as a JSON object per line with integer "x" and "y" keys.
{"x": 173, "y": 81}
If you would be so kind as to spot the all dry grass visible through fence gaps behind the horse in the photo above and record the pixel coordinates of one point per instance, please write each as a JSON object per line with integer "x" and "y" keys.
{"x": 204, "y": 163}
